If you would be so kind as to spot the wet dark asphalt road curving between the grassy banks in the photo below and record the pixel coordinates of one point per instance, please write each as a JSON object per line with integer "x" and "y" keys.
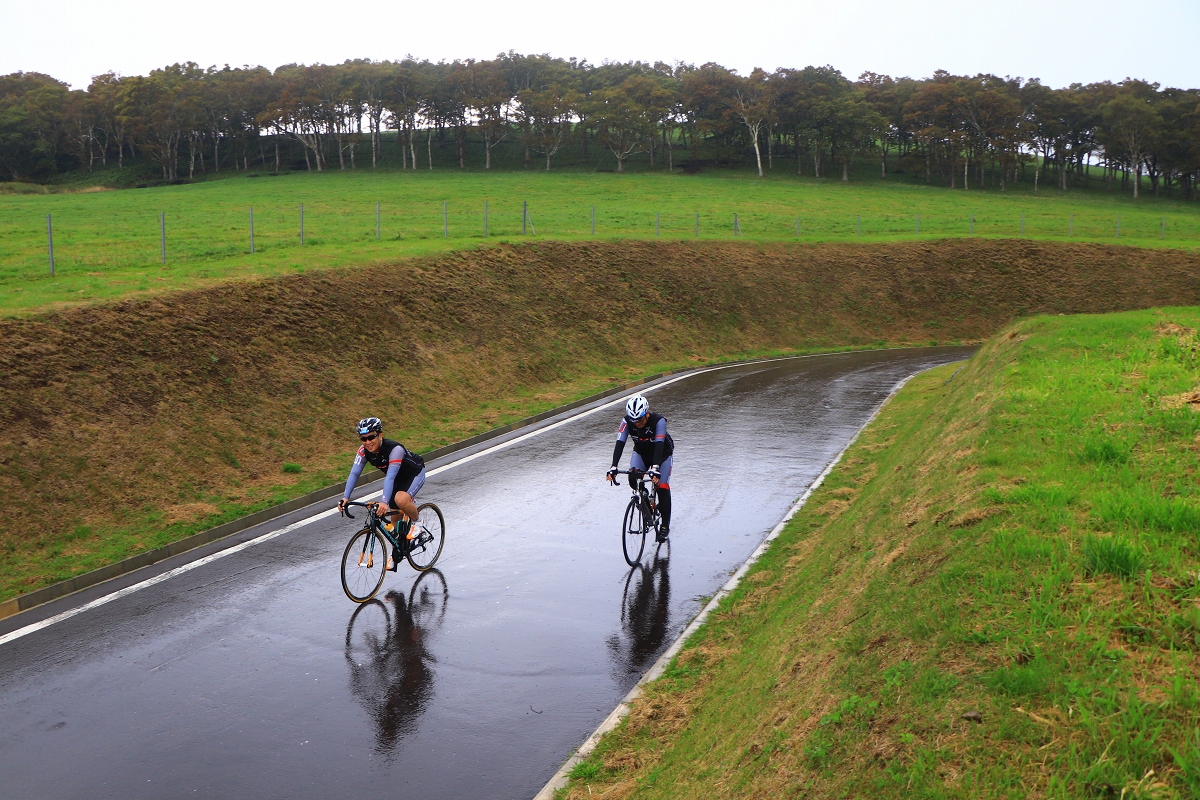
{"x": 255, "y": 677}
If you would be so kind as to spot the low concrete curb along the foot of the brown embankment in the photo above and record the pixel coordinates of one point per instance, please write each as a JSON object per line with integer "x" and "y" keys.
{"x": 32, "y": 600}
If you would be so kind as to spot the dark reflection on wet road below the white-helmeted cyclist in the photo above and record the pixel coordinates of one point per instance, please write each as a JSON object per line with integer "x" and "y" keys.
{"x": 645, "y": 617}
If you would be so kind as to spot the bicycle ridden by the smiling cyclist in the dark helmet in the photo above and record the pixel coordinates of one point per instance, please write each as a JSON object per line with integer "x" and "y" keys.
{"x": 365, "y": 560}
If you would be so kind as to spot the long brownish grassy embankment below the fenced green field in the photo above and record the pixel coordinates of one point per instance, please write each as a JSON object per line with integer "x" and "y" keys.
{"x": 158, "y": 418}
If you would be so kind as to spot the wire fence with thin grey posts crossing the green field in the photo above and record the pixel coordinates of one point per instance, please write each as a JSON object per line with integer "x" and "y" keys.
{"x": 49, "y": 245}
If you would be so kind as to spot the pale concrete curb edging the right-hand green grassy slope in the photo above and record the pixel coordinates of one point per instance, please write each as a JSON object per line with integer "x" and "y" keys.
{"x": 562, "y": 777}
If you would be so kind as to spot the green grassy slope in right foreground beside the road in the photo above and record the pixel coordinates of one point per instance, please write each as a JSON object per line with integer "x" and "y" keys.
{"x": 995, "y": 596}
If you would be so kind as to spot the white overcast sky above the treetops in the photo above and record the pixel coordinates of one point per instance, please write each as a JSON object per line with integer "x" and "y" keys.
{"x": 1059, "y": 41}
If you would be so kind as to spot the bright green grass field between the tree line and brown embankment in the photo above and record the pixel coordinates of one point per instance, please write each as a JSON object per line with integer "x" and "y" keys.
{"x": 107, "y": 243}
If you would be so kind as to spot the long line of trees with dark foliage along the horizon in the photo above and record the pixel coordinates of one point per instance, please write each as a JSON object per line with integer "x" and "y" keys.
{"x": 958, "y": 130}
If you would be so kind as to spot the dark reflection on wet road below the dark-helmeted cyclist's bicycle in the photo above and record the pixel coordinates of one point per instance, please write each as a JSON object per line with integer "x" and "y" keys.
{"x": 392, "y": 673}
